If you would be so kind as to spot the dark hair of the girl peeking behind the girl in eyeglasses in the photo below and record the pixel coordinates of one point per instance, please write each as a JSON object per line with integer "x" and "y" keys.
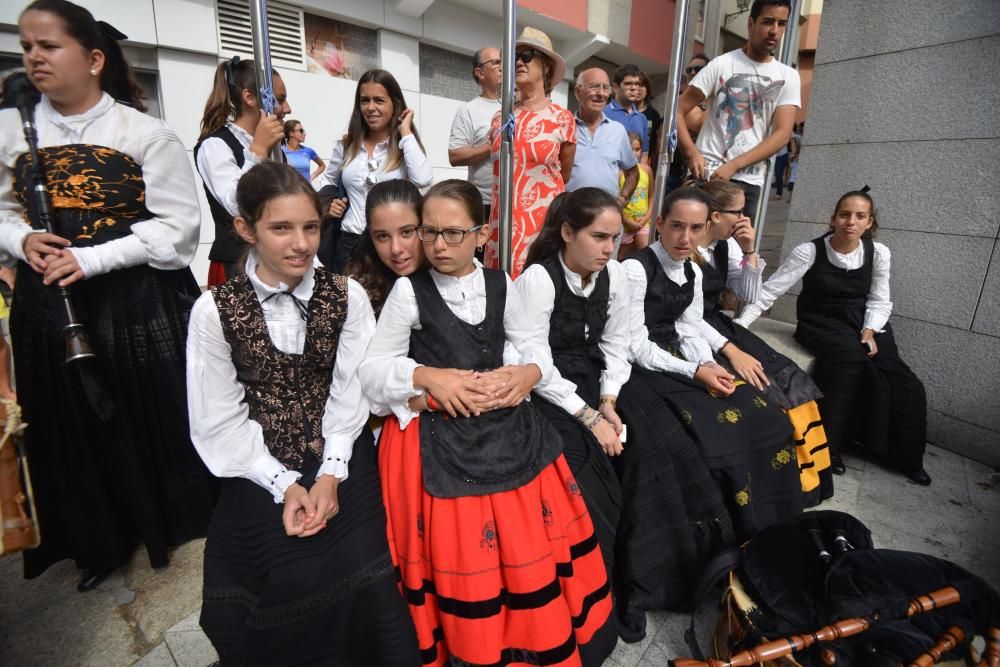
{"x": 365, "y": 266}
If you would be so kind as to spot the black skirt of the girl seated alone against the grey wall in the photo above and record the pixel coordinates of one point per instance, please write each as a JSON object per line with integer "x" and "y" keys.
{"x": 877, "y": 401}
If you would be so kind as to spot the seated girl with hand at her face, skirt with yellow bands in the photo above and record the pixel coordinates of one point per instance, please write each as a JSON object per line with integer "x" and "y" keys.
{"x": 727, "y": 258}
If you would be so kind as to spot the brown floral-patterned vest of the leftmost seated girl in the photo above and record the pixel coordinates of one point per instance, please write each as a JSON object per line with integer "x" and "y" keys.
{"x": 286, "y": 393}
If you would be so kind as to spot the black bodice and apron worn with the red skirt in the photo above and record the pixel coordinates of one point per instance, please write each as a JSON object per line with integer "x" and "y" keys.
{"x": 499, "y": 450}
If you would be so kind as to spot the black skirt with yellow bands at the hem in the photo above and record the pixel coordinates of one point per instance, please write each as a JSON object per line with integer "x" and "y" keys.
{"x": 795, "y": 392}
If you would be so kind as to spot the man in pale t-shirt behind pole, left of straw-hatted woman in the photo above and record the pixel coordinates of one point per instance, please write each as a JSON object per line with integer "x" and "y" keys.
{"x": 469, "y": 143}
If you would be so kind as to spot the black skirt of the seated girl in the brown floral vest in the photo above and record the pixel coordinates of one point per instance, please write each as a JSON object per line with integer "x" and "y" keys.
{"x": 329, "y": 599}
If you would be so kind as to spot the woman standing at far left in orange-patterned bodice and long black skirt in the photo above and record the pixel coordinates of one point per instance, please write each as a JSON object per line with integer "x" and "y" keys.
{"x": 108, "y": 474}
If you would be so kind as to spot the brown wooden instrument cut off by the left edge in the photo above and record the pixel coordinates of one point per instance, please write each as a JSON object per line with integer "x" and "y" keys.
{"x": 18, "y": 526}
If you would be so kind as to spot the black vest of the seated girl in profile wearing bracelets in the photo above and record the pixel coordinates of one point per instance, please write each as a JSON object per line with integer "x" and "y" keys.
{"x": 575, "y": 331}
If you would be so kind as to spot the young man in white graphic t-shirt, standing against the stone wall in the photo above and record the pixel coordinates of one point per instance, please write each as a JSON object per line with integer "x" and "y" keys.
{"x": 753, "y": 98}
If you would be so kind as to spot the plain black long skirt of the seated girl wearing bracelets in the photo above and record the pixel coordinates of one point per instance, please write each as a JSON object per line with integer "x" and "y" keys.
{"x": 674, "y": 518}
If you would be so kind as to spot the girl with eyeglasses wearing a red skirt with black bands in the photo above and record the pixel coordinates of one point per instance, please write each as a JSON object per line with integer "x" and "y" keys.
{"x": 487, "y": 526}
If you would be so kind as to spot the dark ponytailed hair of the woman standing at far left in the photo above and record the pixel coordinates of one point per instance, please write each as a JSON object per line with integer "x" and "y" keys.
{"x": 117, "y": 78}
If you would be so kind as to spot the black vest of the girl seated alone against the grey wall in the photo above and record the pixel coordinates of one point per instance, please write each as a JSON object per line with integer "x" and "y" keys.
{"x": 831, "y": 294}
